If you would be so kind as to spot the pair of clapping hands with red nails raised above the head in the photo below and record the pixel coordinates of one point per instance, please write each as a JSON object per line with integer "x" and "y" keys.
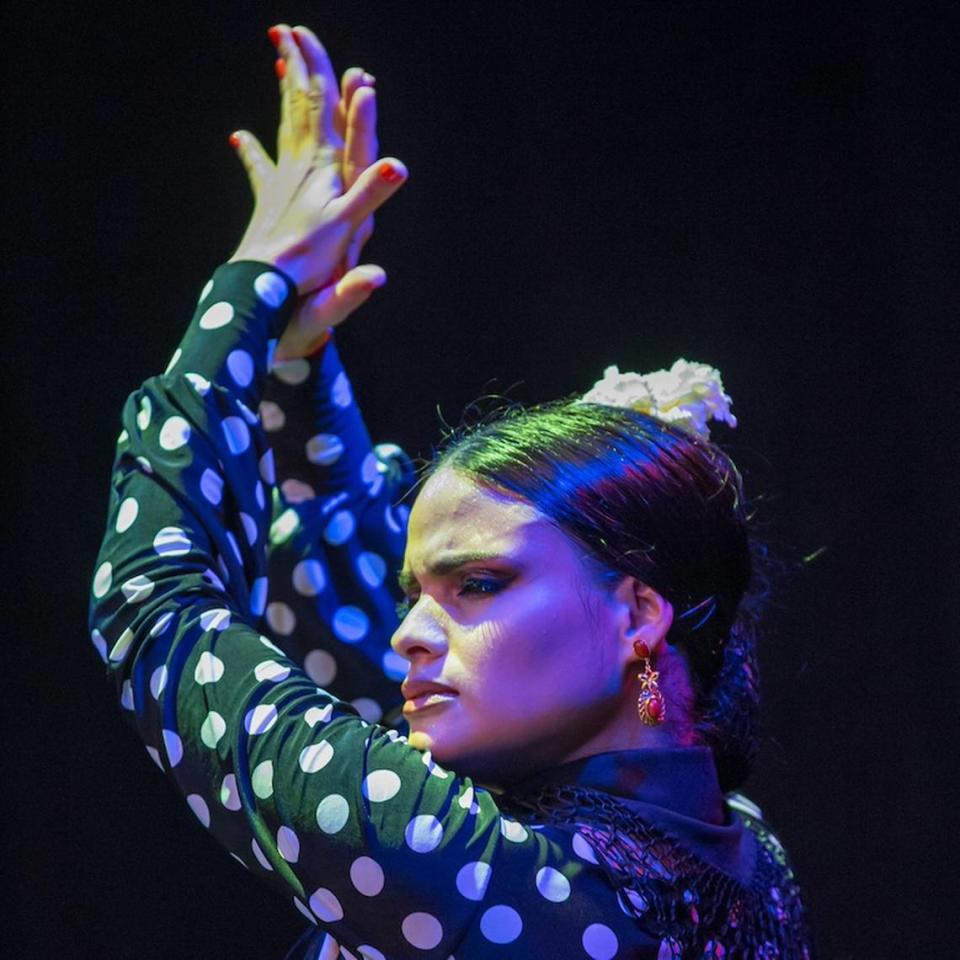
{"x": 314, "y": 207}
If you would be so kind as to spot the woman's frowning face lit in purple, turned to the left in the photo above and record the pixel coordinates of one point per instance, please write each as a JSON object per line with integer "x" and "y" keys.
{"x": 504, "y": 612}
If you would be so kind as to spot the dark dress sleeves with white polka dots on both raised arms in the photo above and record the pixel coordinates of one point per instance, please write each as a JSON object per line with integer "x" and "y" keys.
{"x": 243, "y": 604}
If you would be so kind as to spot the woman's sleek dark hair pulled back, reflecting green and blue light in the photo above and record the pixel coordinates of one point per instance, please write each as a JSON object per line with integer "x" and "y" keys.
{"x": 653, "y": 501}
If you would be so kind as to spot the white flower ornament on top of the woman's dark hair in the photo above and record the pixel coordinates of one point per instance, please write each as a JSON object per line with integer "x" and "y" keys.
{"x": 688, "y": 395}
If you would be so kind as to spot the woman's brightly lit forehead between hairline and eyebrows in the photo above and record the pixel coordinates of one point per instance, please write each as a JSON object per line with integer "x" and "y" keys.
{"x": 453, "y": 512}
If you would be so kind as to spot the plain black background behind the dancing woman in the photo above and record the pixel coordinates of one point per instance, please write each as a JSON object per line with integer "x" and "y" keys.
{"x": 769, "y": 188}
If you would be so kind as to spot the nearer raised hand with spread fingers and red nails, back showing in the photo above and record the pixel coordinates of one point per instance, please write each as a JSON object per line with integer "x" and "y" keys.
{"x": 306, "y": 216}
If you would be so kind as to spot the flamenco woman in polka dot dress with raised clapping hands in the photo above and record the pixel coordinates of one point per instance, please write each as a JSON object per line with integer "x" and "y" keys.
{"x": 575, "y": 651}
